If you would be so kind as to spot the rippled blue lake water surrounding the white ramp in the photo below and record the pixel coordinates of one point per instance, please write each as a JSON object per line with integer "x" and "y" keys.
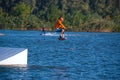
{"x": 83, "y": 56}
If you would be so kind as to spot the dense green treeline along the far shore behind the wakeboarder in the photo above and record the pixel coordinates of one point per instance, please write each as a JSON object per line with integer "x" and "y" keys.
{"x": 79, "y": 15}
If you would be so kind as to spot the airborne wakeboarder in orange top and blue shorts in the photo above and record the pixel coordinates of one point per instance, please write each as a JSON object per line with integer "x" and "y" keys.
{"x": 60, "y": 27}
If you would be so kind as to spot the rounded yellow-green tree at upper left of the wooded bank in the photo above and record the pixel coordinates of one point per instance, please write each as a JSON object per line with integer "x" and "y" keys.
{"x": 22, "y": 11}
